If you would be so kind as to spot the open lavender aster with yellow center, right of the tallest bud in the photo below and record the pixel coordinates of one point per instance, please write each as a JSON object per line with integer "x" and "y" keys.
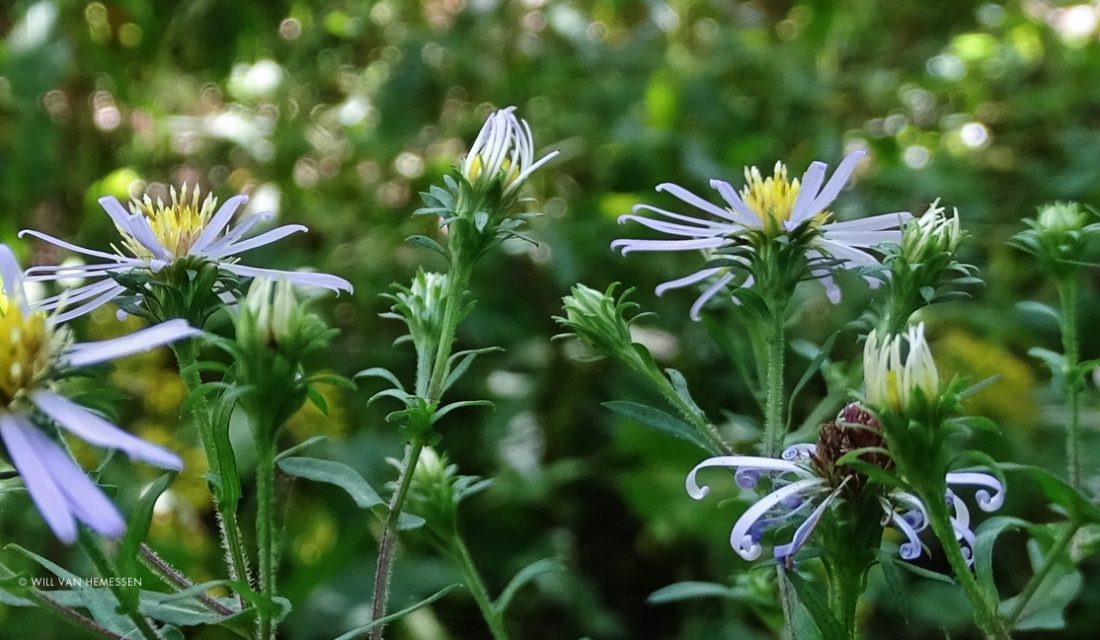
{"x": 767, "y": 208}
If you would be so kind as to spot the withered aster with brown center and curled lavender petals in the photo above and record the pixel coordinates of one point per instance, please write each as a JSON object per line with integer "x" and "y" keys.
{"x": 806, "y": 482}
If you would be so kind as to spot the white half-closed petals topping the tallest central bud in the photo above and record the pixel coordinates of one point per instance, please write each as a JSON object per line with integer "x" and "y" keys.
{"x": 503, "y": 152}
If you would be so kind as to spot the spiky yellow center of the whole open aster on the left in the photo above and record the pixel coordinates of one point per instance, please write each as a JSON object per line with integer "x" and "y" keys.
{"x": 178, "y": 225}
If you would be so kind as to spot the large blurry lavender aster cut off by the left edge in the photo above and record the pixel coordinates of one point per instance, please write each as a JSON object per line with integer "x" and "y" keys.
{"x": 34, "y": 352}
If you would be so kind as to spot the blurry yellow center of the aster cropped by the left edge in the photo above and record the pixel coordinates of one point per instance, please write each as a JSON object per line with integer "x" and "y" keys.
{"x": 25, "y": 349}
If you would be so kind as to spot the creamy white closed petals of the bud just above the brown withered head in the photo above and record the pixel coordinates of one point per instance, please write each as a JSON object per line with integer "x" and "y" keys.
{"x": 897, "y": 368}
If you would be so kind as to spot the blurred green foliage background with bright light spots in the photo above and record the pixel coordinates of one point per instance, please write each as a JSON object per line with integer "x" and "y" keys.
{"x": 336, "y": 114}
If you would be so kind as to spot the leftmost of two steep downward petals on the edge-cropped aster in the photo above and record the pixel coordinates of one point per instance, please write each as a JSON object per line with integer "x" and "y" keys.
{"x": 47, "y": 496}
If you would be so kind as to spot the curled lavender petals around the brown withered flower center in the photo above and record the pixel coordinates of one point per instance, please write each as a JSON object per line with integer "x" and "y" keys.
{"x": 797, "y": 484}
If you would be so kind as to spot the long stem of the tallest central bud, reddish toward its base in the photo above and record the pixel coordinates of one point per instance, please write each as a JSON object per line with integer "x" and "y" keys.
{"x": 457, "y": 285}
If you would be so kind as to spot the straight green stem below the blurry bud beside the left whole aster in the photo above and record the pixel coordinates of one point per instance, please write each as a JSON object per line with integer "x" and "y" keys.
{"x": 266, "y": 536}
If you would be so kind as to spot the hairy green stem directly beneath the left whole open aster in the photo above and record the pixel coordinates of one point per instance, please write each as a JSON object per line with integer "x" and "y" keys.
{"x": 228, "y": 526}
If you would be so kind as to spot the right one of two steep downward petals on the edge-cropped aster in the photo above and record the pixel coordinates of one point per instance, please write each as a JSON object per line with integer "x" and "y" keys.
{"x": 85, "y": 500}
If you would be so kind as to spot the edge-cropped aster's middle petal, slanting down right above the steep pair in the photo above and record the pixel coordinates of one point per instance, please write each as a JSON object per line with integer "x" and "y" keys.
{"x": 98, "y": 432}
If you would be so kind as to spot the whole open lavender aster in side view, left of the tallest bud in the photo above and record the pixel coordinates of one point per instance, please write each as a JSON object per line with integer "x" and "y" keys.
{"x": 156, "y": 236}
